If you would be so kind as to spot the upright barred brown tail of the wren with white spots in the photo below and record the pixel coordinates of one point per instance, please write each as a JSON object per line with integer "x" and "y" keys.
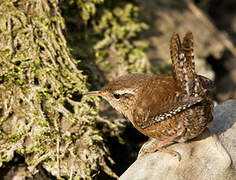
{"x": 182, "y": 57}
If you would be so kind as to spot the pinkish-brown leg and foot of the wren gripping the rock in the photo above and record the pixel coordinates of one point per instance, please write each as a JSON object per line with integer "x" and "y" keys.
{"x": 161, "y": 146}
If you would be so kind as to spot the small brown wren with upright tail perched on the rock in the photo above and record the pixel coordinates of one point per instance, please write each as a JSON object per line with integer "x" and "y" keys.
{"x": 170, "y": 108}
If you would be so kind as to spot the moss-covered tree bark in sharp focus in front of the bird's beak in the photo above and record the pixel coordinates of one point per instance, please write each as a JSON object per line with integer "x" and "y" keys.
{"x": 43, "y": 115}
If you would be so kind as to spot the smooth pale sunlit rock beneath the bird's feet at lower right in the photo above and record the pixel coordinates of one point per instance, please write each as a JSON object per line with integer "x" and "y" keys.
{"x": 210, "y": 156}
